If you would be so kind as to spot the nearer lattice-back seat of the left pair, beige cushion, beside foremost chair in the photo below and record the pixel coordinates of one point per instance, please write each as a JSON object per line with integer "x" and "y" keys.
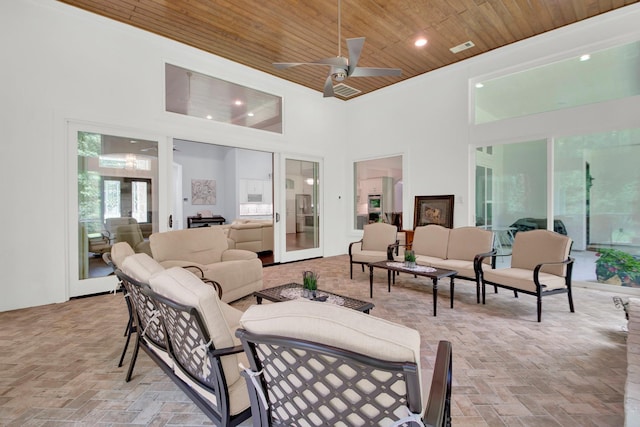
{"x": 206, "y": 355}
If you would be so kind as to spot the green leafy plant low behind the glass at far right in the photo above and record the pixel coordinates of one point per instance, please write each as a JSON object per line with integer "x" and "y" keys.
{"x": 616, "y": 267}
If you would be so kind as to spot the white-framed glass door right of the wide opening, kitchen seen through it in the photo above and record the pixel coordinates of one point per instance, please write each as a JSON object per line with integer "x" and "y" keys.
{"x": 300, "y": 232}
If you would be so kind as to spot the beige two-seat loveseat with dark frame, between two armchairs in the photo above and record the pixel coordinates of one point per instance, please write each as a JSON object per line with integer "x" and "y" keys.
{"x": 454, "y": 249}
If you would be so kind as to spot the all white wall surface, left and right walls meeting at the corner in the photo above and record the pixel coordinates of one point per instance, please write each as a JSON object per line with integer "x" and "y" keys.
{"x": 60, "y": 64}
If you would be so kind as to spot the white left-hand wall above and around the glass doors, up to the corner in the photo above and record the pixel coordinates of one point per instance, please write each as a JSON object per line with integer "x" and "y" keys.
{"x": 60, "y": 64}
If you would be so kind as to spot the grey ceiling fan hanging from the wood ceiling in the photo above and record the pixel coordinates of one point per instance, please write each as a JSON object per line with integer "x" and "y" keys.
{"x": 341, "y": 67}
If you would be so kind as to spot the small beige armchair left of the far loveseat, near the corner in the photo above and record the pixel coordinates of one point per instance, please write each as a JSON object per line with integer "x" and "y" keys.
{"x": 378, "y": 240}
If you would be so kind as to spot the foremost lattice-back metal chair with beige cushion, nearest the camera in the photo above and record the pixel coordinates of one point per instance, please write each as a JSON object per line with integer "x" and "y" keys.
{"x": 318, "y": 364}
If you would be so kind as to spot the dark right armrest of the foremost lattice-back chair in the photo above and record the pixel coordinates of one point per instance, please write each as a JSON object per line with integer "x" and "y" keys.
{"x": 439, "y": 404}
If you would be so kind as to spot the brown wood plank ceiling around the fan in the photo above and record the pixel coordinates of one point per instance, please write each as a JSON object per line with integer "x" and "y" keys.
{"x": 258, "y": 33}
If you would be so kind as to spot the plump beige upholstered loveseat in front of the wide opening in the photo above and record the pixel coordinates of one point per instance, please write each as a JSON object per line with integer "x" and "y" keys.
{"x": 239, "y": 272}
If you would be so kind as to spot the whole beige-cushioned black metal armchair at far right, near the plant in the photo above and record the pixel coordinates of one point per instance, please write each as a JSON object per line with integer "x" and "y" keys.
{"x": 540, "y": 266}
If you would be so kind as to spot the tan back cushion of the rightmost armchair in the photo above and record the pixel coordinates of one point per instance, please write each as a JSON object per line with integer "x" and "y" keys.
{"x": 534, "y": 247}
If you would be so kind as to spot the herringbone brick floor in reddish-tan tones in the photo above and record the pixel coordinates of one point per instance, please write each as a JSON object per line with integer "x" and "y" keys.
{"x": 58, "y": 362}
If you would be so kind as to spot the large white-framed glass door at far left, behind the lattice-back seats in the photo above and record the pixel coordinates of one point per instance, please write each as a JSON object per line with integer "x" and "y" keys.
{"x": 114, "y": 198}
